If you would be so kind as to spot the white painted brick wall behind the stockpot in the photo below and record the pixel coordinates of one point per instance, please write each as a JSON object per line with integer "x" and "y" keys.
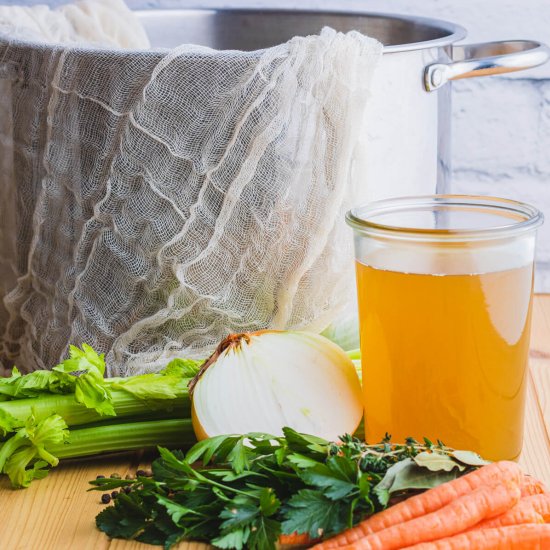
{"x": 501, "y": 127}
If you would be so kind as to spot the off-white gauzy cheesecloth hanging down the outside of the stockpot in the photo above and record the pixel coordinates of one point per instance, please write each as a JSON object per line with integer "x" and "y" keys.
{"x": 154, "y": 201}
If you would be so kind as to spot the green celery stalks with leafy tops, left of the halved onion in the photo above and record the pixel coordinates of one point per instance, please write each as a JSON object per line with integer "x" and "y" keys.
{"x": 73, "y": 411}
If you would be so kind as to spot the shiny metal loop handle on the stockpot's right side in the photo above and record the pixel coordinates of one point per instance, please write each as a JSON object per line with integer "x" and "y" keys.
{"x": 486, "y": 59}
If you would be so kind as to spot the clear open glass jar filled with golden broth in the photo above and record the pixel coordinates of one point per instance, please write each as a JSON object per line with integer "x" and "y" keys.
{"x": 445, "y": 286}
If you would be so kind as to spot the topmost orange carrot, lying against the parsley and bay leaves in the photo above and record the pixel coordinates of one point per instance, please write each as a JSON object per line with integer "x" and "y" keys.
{"x": 427, "y": 502}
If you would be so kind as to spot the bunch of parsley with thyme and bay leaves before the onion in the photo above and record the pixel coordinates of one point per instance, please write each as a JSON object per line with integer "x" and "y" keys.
{"x": 245, "y": 491}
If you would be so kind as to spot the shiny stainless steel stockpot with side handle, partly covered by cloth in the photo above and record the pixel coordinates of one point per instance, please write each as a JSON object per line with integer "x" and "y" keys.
{"x": 409, "y": 126}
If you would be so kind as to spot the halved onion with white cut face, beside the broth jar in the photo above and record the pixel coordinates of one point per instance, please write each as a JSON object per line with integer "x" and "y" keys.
{"x": 296, "y": 379}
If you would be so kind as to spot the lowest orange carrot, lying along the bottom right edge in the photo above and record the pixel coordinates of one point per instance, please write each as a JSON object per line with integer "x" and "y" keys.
{"x": 512, "y": 537}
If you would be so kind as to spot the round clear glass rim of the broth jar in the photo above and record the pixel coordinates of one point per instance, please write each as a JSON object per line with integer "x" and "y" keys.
{"x": 523, "y": 217}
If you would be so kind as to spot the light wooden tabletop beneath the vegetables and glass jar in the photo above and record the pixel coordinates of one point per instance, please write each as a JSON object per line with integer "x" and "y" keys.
{"x": 58, "y": 514}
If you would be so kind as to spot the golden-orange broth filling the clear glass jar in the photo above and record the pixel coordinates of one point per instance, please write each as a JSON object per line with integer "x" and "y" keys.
{"x": 445, "y": 356}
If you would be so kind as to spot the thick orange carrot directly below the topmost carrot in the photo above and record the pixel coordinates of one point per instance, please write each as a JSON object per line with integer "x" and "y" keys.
{"x": 464, "y": 512}
